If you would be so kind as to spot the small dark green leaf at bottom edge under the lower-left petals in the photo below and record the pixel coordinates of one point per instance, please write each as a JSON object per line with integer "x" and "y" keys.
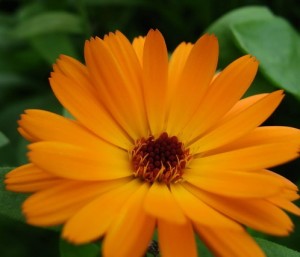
{"x": 70, "y": 250}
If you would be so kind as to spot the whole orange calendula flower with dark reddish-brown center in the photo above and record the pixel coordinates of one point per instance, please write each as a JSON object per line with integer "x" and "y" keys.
{"x": 157, "y": 144}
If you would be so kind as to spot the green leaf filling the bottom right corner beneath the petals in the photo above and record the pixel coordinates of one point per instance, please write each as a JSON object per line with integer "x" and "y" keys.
{"x": 275, "y": 250}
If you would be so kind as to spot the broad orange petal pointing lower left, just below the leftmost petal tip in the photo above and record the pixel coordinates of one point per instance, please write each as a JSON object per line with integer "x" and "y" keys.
{"x": 56, "y": 204}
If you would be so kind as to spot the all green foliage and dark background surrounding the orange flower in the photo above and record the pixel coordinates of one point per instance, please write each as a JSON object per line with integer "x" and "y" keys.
{"x": 34, "y": 33}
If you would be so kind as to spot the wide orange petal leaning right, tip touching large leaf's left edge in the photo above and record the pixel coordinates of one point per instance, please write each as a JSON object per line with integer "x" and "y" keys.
{"x": 193, "y": 82}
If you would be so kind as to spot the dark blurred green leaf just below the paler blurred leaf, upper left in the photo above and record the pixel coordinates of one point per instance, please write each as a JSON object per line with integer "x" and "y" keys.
{"x": 50, "y": 46}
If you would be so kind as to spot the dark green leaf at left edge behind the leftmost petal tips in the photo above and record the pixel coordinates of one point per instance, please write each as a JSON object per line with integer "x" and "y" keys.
{"x": 10, "y": 202}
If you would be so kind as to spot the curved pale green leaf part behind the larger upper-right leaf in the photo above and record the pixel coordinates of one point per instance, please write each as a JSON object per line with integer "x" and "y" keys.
{"x": 222, "y": 29}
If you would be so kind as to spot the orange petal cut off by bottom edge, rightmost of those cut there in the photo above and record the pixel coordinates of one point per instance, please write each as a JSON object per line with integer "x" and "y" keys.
{"x": 229, "y": 243}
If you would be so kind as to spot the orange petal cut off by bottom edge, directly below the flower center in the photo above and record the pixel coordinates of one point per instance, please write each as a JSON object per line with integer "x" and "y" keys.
{"x": 176, "y": 240}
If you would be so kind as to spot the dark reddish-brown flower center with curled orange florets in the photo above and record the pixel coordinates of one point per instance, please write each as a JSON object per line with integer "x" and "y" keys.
{"x": 162, "y": 159}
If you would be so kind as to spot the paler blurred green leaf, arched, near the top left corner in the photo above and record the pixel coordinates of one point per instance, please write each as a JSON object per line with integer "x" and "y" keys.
{"x": 48, "y": 22}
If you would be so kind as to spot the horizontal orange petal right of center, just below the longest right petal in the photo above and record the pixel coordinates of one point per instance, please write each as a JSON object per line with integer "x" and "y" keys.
{"x": 234, "y": 183}
